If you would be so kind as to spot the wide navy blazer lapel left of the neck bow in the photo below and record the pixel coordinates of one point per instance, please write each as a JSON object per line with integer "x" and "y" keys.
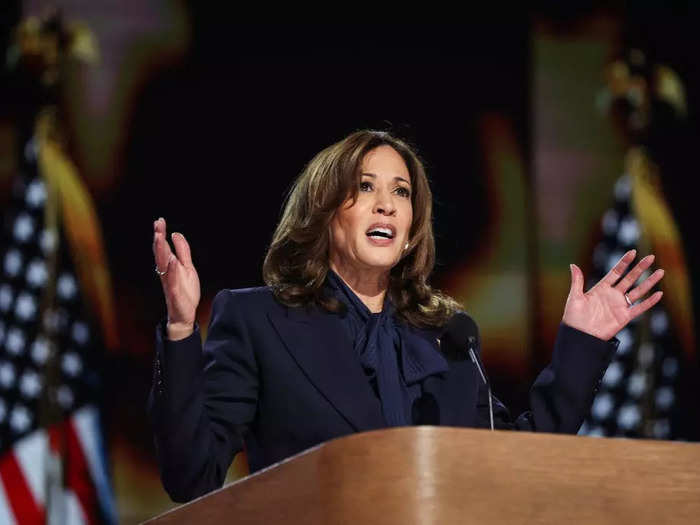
{"x": 317, "y": 343}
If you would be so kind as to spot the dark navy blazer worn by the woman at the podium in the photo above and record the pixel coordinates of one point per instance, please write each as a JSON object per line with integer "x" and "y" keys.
{"x": 277, "y": 380}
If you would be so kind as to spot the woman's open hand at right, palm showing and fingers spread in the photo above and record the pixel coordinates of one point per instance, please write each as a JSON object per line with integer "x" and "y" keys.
{"x": 603, "y": 310}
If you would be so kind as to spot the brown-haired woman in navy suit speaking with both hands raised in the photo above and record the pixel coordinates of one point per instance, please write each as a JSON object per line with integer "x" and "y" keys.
{"x": 345, "y": 337}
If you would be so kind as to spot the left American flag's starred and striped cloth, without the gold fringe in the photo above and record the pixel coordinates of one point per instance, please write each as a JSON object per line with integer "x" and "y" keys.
{"x": 53, "y": 467}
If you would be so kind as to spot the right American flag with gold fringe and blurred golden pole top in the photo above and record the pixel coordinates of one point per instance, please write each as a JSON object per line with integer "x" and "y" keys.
{"x": 639, "y": 395}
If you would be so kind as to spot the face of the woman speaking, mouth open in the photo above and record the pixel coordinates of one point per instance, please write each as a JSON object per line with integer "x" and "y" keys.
{"x": 371, "y": 233}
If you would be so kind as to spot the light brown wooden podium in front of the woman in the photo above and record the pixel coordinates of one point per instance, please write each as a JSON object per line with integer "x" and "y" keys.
{"x": 439, "y": 475}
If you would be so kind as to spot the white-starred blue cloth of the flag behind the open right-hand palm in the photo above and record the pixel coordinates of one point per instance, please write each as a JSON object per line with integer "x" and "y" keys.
{"x": 638, "y": 394}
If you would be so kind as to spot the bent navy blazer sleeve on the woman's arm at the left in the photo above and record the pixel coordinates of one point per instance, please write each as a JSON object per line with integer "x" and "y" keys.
{"x": 202, "y": 401}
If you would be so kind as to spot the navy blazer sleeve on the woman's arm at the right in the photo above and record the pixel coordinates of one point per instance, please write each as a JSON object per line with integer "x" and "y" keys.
{"x": 563, "y": 392}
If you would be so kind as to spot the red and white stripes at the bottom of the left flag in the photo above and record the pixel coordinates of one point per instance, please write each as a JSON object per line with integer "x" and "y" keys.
{"x": 73, "y": 445}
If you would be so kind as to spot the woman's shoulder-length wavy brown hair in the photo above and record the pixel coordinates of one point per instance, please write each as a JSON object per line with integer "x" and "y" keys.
{"x": 297, "y": 261}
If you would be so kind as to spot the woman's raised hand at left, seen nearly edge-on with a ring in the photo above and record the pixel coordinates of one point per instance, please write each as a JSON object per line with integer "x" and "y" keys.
{"x": 179, "y": 280}
